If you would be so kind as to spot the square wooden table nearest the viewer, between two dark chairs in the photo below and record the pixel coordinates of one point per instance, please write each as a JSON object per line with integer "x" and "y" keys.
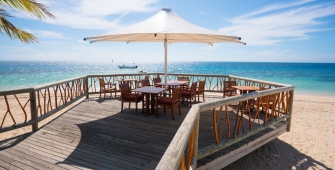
{"x": 150, "y": 91}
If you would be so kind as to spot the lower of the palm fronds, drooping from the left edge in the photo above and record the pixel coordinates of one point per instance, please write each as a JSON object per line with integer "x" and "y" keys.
{"x": 14, "y": 32}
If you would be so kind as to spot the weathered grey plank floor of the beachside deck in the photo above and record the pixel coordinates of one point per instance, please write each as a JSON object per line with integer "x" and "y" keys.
{"x": 95, "y": 135}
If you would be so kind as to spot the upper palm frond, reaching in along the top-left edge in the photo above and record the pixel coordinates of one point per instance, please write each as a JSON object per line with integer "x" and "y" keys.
{"x": 30, "y": 6}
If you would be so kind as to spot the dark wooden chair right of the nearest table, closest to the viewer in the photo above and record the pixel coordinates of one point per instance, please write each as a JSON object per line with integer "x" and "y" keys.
{"x": 170, "y": 102}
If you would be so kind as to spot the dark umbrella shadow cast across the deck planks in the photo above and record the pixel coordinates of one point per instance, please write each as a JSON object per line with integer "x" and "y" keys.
{"x": 119, "y": 141}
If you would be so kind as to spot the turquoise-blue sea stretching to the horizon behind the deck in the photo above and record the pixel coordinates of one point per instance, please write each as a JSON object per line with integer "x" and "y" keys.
{"x": 308, "y": 78}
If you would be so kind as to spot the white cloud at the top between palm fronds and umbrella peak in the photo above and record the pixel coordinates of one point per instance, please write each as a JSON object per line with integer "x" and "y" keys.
{"x": 87, "y": 14}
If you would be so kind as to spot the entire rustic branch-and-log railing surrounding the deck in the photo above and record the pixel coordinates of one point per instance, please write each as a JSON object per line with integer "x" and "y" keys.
{"x": 38, "y": 103}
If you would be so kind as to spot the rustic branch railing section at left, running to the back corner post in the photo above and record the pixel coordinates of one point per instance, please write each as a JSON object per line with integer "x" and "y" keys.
{"x": 37, "y": 103}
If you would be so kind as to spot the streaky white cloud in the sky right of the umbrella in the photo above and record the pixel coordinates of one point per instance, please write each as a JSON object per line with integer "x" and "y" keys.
{"x": 281, "y": 22}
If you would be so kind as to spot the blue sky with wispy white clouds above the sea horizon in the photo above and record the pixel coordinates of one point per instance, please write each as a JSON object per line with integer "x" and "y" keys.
{"x": 273, "y": 30}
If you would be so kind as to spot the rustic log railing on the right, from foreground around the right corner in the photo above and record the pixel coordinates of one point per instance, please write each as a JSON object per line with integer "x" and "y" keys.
{"x": 187, "y": 135}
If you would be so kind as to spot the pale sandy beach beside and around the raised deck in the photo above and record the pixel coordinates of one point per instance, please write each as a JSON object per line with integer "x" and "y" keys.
{"x": 309, "y": 145}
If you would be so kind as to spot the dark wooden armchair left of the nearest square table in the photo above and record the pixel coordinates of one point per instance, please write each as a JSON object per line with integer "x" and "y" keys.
{"x": 128, "y": 96}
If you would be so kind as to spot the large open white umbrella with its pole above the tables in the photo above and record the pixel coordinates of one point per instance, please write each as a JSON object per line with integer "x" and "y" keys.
{"x": 167, "y": 27}
